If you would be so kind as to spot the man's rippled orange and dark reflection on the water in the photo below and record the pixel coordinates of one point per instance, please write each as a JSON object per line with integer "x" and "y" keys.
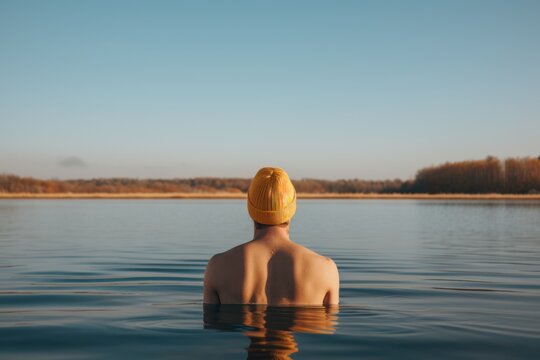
{"x": 271, "y": 329}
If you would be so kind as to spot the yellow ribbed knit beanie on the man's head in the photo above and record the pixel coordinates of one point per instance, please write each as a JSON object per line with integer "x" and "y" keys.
{"x": 271, "y": 197}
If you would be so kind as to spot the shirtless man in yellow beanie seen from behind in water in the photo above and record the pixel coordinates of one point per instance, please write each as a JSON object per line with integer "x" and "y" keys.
{"x": 271, "y": 269}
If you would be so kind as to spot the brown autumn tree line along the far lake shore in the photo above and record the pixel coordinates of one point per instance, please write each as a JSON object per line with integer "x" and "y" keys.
{"x": 491, "y": 175}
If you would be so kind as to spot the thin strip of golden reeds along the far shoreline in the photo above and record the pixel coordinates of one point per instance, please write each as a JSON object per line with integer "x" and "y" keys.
{"x": 225, "y": 195}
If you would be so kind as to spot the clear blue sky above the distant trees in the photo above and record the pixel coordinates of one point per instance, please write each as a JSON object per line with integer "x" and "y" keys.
{"x": 325, "y": 89}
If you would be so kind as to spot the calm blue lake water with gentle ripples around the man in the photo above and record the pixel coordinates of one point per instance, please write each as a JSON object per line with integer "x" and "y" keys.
{"x": 95, "y": 279}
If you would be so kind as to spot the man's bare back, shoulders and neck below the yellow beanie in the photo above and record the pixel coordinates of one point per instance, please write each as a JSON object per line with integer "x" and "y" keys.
{"x": 271, "y": 269}
